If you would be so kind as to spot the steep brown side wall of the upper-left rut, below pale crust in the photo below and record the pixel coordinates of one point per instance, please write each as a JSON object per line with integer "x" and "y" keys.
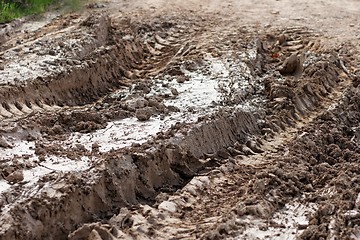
{"x": 109, "y": 61}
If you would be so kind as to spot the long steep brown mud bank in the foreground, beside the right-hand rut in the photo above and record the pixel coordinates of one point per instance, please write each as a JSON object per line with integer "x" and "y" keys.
{"x": 142, "y": 172}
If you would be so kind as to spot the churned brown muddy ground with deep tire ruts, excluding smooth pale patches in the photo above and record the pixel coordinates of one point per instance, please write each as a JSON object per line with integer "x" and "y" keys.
{"x": 269, "y": 86}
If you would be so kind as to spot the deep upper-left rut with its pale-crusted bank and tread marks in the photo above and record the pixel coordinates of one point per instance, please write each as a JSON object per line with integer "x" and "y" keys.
{"x": 117, "y": 60}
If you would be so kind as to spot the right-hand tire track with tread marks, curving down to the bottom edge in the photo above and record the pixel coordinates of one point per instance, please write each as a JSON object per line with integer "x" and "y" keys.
{"x": 229, "y": 201}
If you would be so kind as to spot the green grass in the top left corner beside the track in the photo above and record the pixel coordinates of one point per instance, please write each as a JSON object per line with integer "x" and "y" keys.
{"x": 11, "y": 9}
